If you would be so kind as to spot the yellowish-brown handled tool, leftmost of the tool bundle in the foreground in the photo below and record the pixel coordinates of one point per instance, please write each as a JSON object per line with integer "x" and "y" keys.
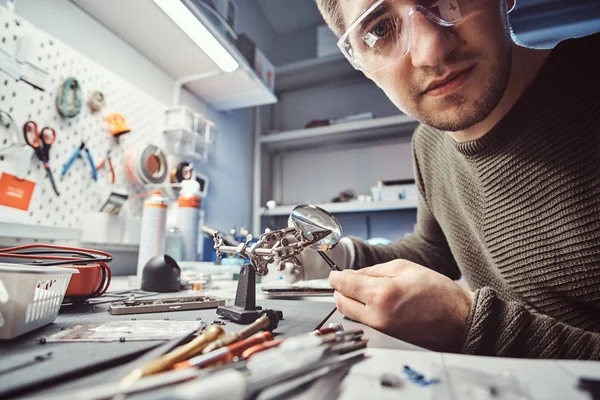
{"x": 179, "y": 354}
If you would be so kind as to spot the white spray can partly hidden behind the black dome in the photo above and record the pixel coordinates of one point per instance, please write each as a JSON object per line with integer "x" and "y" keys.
{"x": 154, "y": 221}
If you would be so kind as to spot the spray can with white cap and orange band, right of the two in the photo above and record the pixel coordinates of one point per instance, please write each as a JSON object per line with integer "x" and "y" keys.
{"x": 189, "y": 217}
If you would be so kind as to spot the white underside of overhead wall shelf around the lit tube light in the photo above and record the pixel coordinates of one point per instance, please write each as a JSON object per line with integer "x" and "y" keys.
{"x": 163, "y": 42}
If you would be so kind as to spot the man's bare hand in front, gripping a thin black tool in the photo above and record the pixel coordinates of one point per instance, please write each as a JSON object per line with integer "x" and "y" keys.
{"x": 407, "y": 301}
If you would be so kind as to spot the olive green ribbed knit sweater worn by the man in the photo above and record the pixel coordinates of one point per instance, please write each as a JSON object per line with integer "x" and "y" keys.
{"x": 517, "y": 213}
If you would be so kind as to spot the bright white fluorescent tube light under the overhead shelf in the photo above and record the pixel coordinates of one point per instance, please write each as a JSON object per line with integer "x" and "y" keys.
{"x": 192, "y": 27}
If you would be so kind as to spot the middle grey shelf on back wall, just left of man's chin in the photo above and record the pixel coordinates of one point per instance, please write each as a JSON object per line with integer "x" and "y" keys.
{"x": 373, "y": 129}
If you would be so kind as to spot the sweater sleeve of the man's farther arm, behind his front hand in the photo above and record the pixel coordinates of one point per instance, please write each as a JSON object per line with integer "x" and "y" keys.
{"x": 427, "y": 247}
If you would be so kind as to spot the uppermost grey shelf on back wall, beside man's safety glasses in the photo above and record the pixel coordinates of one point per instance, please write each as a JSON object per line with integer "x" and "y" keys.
{"x": 313, "y": 72}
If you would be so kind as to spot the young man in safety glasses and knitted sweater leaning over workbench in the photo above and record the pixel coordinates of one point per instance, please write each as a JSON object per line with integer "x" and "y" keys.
{"x": 507, "y": 163}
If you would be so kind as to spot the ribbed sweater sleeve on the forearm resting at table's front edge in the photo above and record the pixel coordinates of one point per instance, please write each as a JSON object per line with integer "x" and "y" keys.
{"x": 507, "y": 329}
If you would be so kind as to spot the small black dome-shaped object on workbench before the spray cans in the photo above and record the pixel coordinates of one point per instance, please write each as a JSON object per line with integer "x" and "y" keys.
{"x": 161, "y": 274}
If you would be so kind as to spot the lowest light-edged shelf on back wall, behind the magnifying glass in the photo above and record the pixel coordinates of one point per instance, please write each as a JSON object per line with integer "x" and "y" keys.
{"x": 348, "y": 207}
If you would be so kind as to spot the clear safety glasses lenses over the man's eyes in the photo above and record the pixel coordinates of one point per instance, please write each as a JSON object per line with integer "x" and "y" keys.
{"x": 381, "y": 35}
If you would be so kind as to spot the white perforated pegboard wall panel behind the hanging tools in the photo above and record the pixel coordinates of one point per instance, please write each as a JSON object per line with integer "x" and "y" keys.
{"x": 79, "y": 193}
